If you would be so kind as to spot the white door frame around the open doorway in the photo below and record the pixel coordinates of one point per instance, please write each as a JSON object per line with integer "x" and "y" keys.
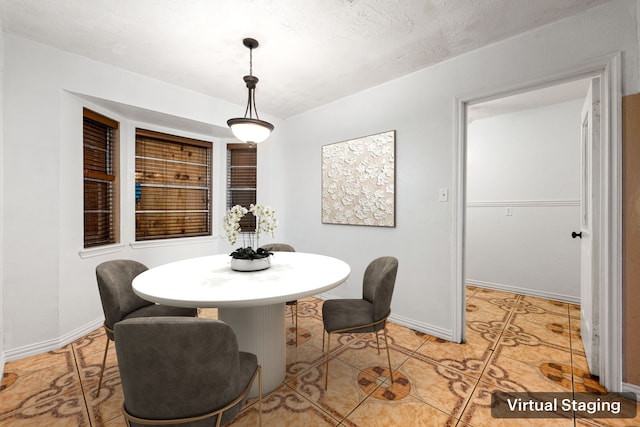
{"x": 609, "y": 249}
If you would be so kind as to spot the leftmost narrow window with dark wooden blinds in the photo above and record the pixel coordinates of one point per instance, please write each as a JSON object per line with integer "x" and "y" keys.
{"x": 99, "y": 136}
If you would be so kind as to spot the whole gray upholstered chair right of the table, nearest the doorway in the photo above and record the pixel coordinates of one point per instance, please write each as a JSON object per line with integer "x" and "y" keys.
{"x": 368, "y": 314}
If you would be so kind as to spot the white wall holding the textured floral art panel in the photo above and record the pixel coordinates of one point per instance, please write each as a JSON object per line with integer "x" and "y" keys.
{"x": 420, "y": 107}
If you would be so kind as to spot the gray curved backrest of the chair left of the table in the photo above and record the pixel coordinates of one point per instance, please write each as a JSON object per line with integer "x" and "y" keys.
{"x": 116, "y": 292}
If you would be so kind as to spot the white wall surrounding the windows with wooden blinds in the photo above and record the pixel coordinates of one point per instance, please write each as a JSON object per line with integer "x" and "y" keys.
{"x": 50, "y": 287}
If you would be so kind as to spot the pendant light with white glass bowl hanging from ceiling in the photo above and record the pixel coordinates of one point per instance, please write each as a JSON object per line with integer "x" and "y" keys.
{"x": 249, "y": 129}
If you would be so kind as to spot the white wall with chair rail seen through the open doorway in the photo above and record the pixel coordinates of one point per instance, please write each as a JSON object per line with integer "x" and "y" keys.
{"x": 528, "y": 161}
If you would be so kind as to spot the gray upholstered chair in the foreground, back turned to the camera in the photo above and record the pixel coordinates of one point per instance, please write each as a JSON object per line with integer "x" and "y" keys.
{"x": 180, "y": 370}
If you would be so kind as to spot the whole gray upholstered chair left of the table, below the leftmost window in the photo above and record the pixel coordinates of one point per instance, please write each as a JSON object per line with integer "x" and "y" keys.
{"x": 120, "y": 302}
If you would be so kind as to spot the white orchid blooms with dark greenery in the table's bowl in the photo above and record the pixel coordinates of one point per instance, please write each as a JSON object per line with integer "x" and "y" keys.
{"x": 266, "y": 222}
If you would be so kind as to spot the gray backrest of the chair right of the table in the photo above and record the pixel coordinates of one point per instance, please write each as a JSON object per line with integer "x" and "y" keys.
{"x": 378, "y": 283}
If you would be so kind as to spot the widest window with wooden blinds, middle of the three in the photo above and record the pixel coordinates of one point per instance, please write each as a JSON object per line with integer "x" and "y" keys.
{"x": 173, "y": 186}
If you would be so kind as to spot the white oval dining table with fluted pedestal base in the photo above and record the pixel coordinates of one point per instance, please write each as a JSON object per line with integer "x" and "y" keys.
{"x": 253, "y": 303}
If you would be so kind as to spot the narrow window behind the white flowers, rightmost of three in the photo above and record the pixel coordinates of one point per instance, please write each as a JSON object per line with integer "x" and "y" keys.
{"x": 242, "y": 180}
